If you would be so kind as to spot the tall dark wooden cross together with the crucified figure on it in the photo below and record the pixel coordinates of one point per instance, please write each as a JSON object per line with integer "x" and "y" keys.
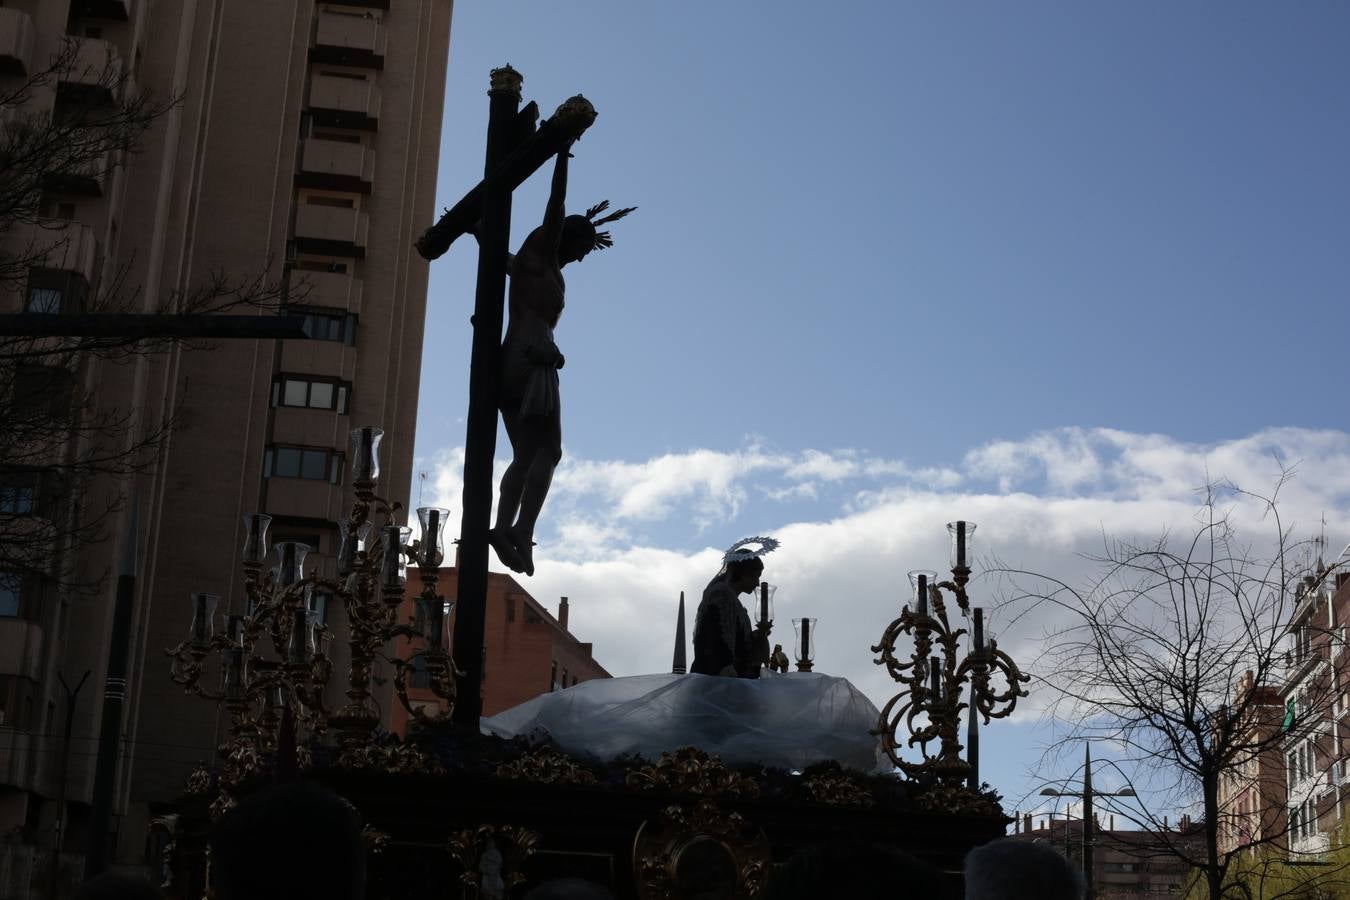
{"x": 518, "y": 377}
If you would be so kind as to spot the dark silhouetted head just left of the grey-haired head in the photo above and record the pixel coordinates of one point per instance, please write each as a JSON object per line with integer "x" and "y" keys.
{"x": 858, "y": 872}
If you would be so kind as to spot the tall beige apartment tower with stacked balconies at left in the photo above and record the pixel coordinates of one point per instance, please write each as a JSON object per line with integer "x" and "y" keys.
{"x": 304, "y": 145}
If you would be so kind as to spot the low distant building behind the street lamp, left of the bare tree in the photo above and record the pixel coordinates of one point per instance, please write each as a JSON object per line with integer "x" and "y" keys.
{"x": 1127, "y": 864}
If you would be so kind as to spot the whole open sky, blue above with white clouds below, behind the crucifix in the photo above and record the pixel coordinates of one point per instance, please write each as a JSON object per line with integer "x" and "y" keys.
{"x": 898, "y": 262}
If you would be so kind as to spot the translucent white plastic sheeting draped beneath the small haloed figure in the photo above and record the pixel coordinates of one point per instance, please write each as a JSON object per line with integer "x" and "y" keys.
{"x": 781, "y": 721}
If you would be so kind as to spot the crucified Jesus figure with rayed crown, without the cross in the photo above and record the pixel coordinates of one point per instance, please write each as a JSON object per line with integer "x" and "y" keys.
{"x": 530, "y": 361}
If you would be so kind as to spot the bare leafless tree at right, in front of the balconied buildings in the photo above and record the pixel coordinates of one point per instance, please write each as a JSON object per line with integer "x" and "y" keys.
{"x": 1197, "y": 662}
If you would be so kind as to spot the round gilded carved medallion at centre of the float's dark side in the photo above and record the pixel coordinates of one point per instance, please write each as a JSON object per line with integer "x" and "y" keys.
{"x": 700, "y": 851}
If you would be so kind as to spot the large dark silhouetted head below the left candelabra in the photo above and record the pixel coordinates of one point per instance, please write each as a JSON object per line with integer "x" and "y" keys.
{"x": 290, "y": 843}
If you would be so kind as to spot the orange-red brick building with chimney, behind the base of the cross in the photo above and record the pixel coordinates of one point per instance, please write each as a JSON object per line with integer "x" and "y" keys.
{"x": 527, "y": 651}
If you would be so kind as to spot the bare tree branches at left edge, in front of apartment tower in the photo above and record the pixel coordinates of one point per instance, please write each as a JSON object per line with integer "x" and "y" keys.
{"x": 57, "y": 434}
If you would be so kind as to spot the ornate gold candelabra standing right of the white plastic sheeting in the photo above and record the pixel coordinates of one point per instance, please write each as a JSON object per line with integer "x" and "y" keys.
{"x": 929, "y": 705}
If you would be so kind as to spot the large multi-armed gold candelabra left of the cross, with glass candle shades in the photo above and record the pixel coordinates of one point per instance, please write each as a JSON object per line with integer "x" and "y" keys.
{"x": 275, "y": 656}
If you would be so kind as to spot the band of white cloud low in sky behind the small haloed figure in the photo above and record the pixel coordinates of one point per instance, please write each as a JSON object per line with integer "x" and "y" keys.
{"x": 623, "y": 539}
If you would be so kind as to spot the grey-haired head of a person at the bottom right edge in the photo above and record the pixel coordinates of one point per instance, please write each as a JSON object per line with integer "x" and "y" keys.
{"x": 1012, "y": 870}
